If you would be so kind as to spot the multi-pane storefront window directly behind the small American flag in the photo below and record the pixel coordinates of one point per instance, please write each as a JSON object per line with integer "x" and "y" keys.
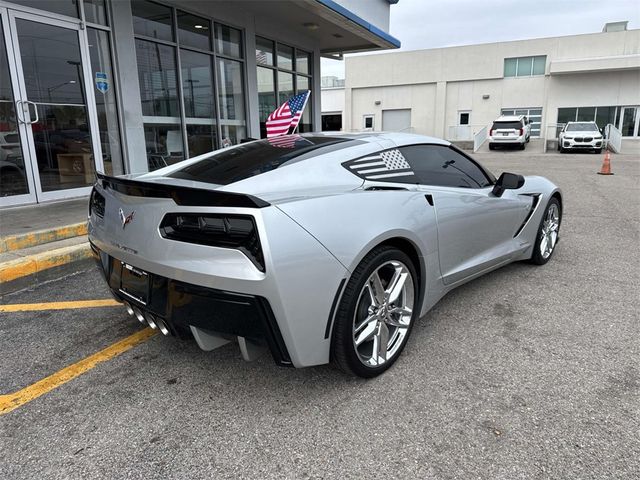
{"x": 288, "y": 77}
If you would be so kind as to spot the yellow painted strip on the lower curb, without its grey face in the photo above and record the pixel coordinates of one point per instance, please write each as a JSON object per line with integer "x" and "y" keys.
{"x": 31, "y": 264}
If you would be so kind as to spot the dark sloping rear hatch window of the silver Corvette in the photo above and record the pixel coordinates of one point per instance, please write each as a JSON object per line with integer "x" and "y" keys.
{"x": 251, "y": 159}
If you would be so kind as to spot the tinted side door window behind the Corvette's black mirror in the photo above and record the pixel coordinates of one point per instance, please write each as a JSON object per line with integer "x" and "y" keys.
{"x": 442, "y": 166}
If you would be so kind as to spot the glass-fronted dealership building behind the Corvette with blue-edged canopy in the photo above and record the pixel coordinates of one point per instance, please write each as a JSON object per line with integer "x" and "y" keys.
{"x": 127, "y": 86}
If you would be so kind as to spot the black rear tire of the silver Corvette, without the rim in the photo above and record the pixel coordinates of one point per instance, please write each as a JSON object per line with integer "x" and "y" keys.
{"x": 343, "y": 350}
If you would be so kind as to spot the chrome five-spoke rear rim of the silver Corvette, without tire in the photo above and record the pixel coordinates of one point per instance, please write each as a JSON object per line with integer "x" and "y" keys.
{"x": 383, "y": 313}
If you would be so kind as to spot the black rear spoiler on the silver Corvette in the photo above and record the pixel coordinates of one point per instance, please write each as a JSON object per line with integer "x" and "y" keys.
{"x": 187, "y": 196}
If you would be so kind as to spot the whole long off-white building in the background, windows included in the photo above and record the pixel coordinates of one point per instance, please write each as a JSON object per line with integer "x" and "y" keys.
{"x": 455, "y": 92}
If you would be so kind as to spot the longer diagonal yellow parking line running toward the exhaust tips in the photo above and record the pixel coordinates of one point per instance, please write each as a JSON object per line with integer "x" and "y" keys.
{"x": 14, "y": 400}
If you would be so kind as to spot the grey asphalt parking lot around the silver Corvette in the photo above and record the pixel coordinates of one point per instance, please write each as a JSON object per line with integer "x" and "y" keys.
{"x": 528, "y": 372}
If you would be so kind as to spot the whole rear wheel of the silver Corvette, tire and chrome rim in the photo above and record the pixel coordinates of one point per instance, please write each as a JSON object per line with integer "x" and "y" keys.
{"x": 376, "y": 313}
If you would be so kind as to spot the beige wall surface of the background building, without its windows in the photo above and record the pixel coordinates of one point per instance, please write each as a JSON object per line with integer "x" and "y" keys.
{"x": 436, "y": 84}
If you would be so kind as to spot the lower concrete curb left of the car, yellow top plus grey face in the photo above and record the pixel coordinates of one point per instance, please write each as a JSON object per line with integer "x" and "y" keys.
{"x": 30, "y": 270}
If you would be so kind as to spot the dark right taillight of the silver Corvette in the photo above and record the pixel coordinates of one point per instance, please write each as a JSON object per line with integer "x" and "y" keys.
{"x": 215, "y": 230}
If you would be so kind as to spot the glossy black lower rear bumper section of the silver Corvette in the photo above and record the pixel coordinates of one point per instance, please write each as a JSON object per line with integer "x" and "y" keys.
{"x": 182, "y": 305}
